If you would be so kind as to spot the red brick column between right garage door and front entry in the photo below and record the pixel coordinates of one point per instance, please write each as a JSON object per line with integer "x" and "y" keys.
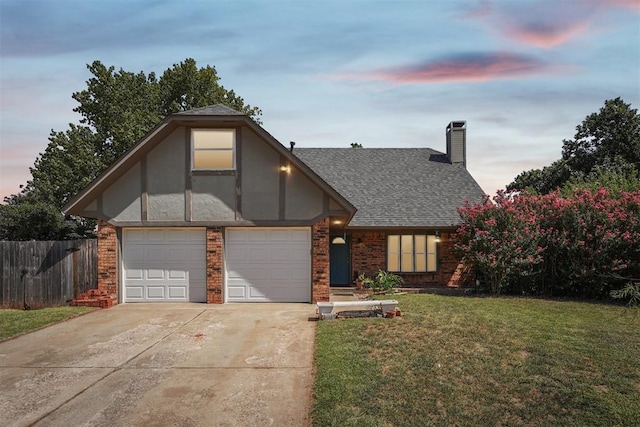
{"x": 320, "y": 261}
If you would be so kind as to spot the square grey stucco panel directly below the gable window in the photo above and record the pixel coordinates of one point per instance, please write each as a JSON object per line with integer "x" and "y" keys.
{"x": 213, "y": 198}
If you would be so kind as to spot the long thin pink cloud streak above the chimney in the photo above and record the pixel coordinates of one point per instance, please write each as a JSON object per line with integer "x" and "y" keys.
{"x": 470, "y": 67}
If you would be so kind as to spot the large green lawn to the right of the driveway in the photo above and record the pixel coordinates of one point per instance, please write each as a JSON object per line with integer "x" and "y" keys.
{"x": 481, "y": 361}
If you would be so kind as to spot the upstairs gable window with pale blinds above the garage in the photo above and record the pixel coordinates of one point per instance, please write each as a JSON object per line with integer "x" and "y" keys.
{"x": 213, "y": 149}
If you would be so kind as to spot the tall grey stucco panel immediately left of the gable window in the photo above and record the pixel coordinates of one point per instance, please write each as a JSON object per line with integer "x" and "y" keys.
{"x": 166, "y": 180}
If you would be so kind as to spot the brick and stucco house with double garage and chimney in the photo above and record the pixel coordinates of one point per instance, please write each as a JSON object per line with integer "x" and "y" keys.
{"x": 209, "y": 207}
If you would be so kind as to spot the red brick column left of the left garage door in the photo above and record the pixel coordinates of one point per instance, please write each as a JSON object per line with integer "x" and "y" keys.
{"x": 107, "y": 259}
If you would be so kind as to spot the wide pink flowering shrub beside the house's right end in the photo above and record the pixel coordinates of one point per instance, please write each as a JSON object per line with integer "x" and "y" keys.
{"x": 585, "y": 245}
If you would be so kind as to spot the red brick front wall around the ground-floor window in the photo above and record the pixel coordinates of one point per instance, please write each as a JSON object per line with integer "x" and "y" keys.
{"x": 369, "y": 254}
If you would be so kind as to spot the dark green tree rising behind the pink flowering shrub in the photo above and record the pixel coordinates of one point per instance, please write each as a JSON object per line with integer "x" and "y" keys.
{"x": 608, "y": 139}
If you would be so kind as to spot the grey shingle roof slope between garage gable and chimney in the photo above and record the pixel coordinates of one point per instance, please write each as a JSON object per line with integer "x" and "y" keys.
{"x": 395, "y": 187}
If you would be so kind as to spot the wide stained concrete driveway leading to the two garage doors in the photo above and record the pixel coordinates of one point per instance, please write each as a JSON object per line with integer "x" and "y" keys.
{"x": 163, "y": 365}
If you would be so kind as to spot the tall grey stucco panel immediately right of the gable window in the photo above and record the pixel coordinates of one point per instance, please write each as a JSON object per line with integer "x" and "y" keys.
{"x": 260, "y": 178}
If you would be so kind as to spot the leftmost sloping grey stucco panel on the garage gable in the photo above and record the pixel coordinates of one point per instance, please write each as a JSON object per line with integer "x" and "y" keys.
{"x": 121, "y": 201}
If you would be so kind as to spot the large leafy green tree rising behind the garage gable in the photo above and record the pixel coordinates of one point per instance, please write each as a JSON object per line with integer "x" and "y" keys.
{"x": 120, "y": 107}
